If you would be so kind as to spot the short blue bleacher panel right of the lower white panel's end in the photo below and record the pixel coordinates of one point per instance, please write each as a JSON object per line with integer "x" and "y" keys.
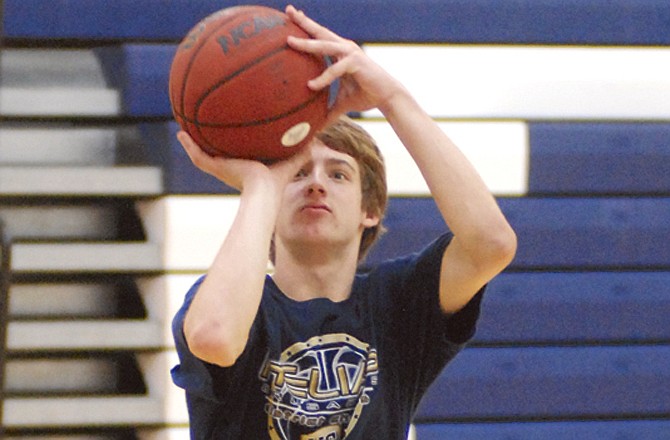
{"x": 605, "y": 158}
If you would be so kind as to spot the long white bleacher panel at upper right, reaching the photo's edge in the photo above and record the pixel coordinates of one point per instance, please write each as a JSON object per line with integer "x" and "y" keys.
{"x": 529, "y": 82}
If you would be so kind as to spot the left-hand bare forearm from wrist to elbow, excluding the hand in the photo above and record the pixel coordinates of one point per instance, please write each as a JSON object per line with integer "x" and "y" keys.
{"x": 219, "y": 319}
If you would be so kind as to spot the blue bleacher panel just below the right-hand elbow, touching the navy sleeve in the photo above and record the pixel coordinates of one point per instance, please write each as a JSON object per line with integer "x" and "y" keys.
{"x": 576, "y": 307}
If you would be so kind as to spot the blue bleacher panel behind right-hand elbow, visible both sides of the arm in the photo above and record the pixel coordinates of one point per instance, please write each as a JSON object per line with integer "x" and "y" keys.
{"x": 569, "y": 233}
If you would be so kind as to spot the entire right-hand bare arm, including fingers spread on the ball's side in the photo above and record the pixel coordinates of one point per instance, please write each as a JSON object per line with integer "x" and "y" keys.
{"x": 484, "y": 243}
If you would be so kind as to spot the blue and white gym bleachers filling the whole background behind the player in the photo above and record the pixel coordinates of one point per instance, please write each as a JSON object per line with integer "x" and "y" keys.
{"x": 562, "y": 105}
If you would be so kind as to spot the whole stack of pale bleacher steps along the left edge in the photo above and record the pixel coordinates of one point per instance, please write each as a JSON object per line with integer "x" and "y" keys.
{"x": 67, "y": 192}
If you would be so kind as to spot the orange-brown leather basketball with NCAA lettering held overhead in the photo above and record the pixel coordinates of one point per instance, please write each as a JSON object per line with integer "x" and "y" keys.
{"x": 240, "y": 91}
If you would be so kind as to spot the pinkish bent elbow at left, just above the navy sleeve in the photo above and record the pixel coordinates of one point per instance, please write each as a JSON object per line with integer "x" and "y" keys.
{"x": 214, "y": 344}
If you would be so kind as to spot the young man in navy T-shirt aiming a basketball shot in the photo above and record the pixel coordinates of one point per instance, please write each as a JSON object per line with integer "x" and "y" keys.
{"x": 316, "y": 350}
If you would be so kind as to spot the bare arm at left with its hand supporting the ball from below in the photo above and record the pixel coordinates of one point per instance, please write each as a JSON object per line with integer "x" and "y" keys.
{"x": 218, "y": 321}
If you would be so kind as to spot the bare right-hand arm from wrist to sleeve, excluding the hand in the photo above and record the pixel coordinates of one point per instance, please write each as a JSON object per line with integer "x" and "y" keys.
{"x": 483, "y": 243}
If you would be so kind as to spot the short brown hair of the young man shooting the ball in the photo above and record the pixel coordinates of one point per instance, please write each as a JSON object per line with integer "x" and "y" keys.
{"x": 350, "y": 138}
